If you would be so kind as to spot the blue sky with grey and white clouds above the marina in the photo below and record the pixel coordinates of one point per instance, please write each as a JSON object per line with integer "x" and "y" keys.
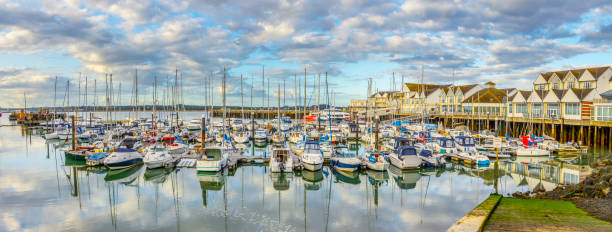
{"x": 508, "y": 42}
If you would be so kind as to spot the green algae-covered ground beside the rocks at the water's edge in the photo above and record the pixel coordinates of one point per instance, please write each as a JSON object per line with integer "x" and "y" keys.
{"x": 531, "y": 213}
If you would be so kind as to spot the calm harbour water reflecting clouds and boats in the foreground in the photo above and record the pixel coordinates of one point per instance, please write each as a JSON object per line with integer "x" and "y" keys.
{"x": 41, "y": 191}
